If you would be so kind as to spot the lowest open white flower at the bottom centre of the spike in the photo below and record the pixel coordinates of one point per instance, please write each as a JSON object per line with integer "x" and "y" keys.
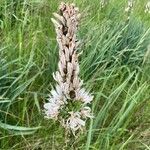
{"x": 74, "y": 122}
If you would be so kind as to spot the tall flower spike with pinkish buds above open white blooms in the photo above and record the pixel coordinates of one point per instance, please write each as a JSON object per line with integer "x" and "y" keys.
{"x": 68, "y": 102}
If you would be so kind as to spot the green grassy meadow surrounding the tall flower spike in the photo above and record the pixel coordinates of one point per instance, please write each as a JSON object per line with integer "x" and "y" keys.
{"x": 115, "y": 66}
